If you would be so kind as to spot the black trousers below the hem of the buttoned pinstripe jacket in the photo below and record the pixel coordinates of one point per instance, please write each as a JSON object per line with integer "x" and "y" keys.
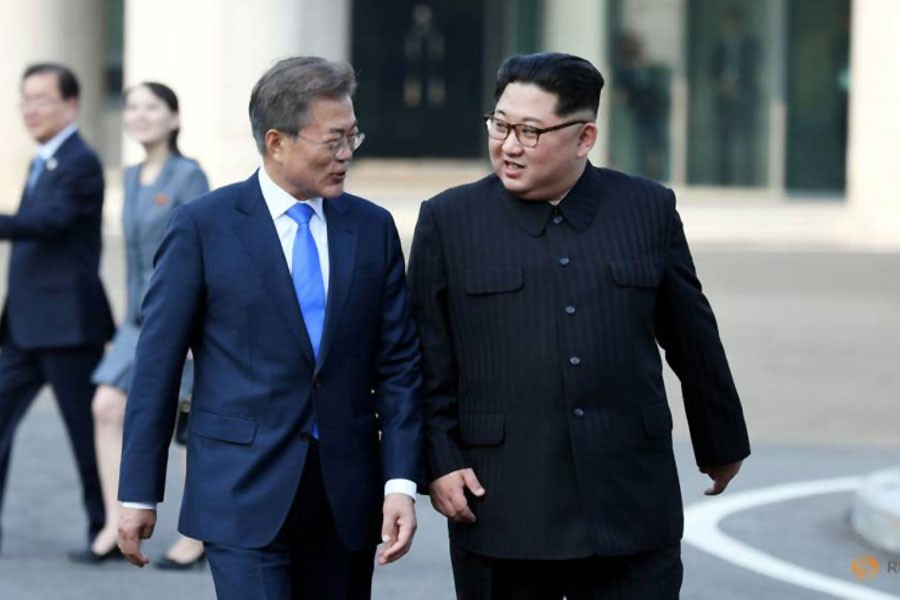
{"x": 654, "y": 575}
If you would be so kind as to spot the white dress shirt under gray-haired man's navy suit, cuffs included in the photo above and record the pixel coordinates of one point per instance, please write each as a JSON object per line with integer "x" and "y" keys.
{"x": 278, "y": 202}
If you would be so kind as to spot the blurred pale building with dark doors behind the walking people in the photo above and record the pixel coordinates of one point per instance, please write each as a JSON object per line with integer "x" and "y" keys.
{"x": 760, "y": 102}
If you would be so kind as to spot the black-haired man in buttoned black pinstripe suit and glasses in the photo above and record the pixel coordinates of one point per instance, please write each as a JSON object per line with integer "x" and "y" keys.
{"x": 541, "y": 293}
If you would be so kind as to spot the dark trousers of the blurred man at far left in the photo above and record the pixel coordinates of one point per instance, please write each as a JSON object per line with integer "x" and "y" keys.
{"x": 68, "y": 371}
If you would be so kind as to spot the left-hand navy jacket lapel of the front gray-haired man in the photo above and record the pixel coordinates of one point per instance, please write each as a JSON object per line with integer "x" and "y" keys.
{"x": 255, "y": 228}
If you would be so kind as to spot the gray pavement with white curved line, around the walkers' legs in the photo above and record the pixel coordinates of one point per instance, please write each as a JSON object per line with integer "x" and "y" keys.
{"x": 811, "y": 334}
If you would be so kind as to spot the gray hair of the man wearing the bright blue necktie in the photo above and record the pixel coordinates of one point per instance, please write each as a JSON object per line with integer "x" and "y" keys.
{"x": 281, "y": 98}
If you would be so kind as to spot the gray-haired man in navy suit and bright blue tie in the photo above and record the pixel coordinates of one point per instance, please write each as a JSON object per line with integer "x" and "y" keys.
{"x": 292, "y": 296}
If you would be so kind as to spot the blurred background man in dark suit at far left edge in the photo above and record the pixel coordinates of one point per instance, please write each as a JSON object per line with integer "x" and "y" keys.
{"x": 56, "y": 317}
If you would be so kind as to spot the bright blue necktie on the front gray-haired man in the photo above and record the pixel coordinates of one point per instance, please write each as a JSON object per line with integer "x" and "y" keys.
{"x": 308, "y": 283}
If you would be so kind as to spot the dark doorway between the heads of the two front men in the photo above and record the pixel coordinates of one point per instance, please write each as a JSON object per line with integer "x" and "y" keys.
{"x": 420, "y": 73}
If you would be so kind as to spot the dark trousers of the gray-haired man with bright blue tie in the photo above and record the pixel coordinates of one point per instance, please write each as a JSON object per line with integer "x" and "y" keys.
{"x": 306, "y": 559}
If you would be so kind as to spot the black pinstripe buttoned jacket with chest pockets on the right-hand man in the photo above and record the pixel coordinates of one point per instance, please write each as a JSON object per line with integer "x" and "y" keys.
{"x": 539, "y": 330}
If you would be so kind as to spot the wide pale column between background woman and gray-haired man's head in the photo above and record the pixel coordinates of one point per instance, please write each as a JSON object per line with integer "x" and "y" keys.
{"x": 211, "y": 52}
